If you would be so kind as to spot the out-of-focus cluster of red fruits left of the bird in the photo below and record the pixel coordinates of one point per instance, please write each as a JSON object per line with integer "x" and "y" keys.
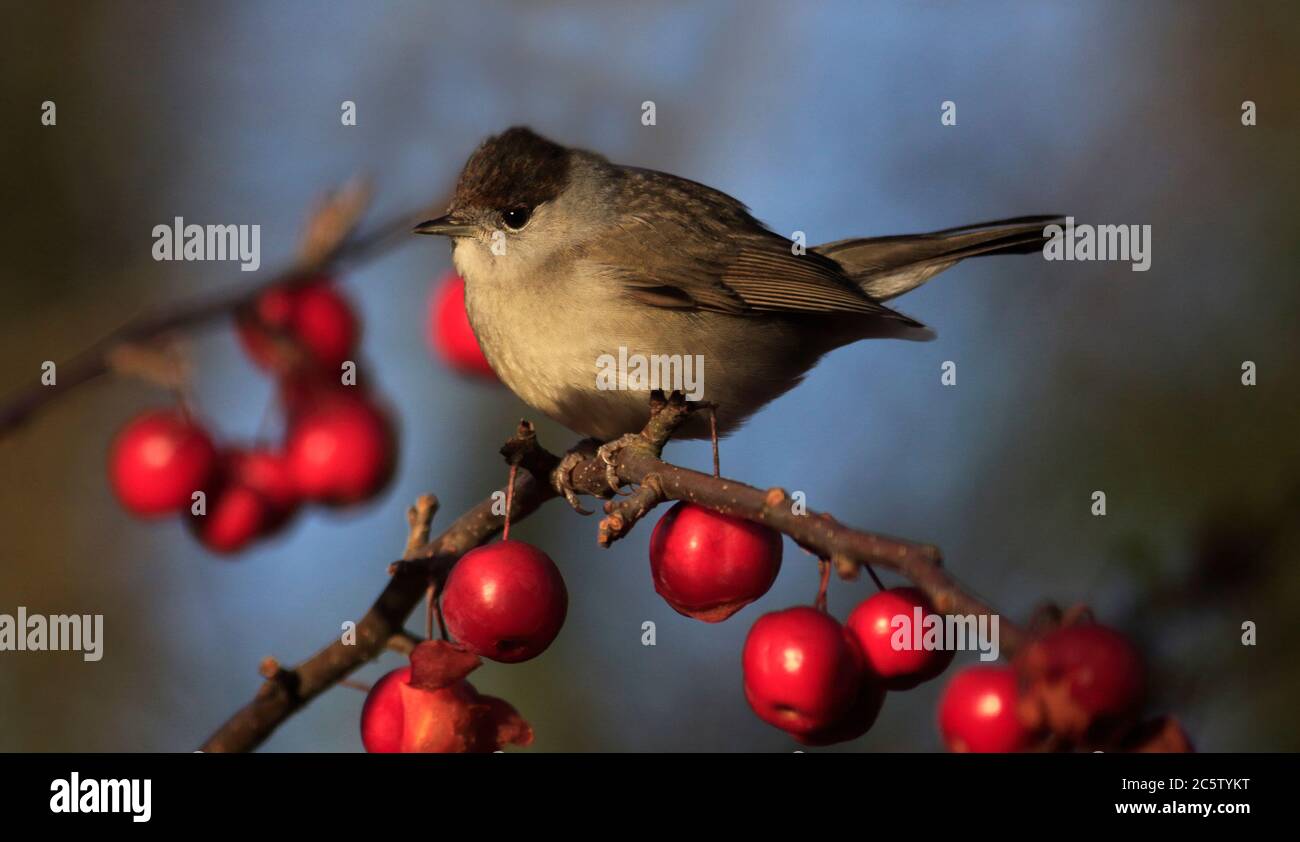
{"x": 339, "y": 450}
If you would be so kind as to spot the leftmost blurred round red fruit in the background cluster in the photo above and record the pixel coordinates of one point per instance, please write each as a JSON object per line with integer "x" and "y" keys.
{"x": 159, "y": 461}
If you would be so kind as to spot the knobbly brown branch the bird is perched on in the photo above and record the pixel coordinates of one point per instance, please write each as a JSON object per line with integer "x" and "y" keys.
{"x": 657, "y": 481}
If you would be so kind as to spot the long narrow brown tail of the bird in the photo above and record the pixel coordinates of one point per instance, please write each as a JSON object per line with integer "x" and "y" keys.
{"x": 887, "y": 267}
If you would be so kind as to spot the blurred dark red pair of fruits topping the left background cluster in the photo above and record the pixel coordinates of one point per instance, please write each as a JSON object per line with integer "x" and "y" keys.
{"x": 314, "y": 315}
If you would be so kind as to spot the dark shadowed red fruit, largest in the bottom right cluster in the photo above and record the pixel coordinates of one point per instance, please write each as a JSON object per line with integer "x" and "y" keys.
{"x": 1086, "y": 679}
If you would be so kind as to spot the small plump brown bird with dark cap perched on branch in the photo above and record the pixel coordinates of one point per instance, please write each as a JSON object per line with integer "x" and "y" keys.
{"x": 573, "y": 263}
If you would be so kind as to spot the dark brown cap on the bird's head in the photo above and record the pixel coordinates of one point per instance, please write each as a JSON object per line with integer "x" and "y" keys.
{"x": 512, "y": 170}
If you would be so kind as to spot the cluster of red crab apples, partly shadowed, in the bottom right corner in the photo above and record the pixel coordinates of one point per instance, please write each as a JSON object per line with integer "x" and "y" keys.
{"x": 1077, "y": 687}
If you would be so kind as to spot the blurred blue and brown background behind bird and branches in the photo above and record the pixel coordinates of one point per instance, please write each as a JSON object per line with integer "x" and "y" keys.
{"x": 822, "y": 118}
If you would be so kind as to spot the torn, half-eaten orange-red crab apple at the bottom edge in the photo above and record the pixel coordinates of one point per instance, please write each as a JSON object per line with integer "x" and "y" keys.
{"x": 430, "y": 708}
